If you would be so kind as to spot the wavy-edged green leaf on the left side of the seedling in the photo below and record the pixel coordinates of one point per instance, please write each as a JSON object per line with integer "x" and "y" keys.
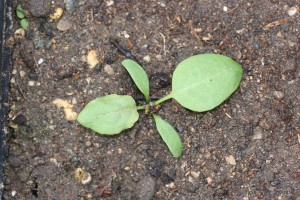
{"x": 109, "y": 114}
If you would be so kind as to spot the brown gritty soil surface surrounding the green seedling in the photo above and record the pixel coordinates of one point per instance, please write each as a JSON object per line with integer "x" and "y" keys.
{"x": 247, "y": 148}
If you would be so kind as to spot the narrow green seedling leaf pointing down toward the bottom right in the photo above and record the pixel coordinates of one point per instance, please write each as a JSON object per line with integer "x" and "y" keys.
{"x": 169, "y": 136}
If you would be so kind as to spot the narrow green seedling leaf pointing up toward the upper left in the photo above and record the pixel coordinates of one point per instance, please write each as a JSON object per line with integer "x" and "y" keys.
{"x": 138, "y": 75}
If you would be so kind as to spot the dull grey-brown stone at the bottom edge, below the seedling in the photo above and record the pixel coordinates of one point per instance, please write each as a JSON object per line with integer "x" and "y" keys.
{"x": 146, "y": 188}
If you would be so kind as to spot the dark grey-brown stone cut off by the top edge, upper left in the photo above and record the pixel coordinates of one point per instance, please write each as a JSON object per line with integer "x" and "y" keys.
{"x": 39, "y": 8}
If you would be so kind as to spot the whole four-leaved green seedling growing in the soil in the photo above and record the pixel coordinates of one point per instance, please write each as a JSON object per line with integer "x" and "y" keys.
{"x": 200, "y": 83}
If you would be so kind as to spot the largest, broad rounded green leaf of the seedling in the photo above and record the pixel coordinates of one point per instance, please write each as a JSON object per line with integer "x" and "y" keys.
{"x": 202, "y": 82}
